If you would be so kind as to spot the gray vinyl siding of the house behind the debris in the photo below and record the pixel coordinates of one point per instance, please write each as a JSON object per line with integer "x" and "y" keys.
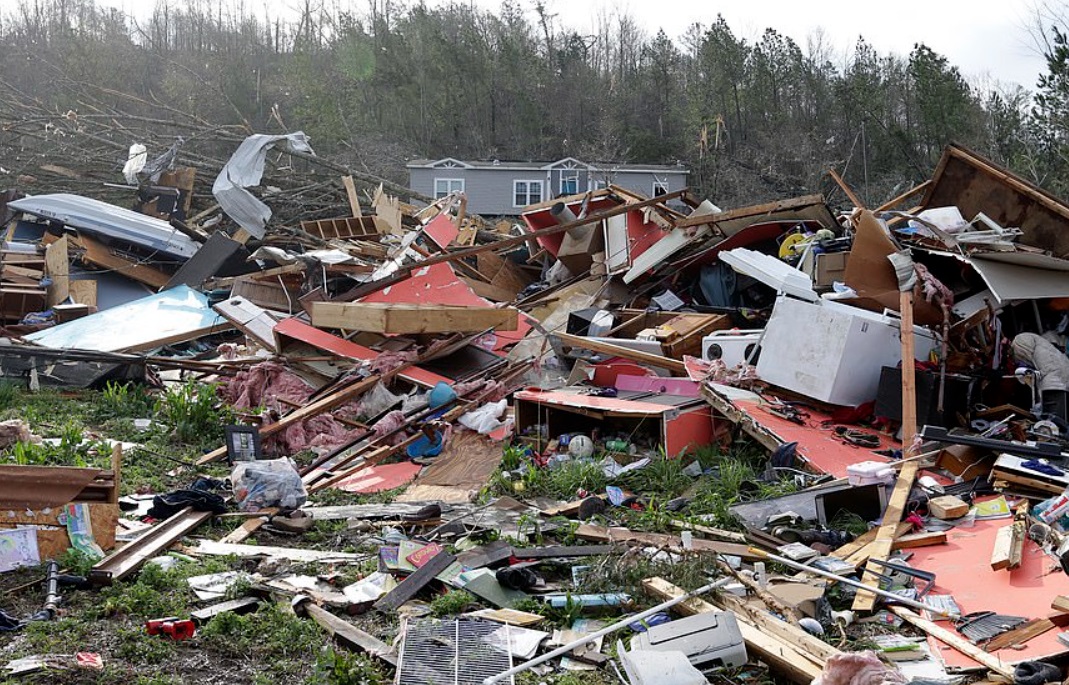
{"x": 490, "y": 191}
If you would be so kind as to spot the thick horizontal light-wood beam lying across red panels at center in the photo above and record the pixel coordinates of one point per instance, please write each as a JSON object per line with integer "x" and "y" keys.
{"x": 400, "y": 319}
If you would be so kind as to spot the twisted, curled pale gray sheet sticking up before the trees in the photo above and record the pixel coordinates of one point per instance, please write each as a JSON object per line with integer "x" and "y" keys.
{"x": 244, "y": 170}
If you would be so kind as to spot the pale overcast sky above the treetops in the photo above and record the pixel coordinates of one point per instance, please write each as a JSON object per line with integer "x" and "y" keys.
{"x": 988, "y": 40}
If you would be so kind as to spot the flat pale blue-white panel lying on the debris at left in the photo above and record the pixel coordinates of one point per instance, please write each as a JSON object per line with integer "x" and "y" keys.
{"x": 174, "y": 316}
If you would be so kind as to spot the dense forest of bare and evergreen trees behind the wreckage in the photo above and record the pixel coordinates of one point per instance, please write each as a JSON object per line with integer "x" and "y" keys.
{"x": 380, "y": 83}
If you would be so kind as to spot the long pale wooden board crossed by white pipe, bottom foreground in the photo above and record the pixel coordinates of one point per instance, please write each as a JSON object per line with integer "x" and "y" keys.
{"x": 782, "y": 655}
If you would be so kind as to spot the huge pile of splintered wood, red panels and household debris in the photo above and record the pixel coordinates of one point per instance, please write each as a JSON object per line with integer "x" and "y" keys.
{"x": 525, "y": 437}
